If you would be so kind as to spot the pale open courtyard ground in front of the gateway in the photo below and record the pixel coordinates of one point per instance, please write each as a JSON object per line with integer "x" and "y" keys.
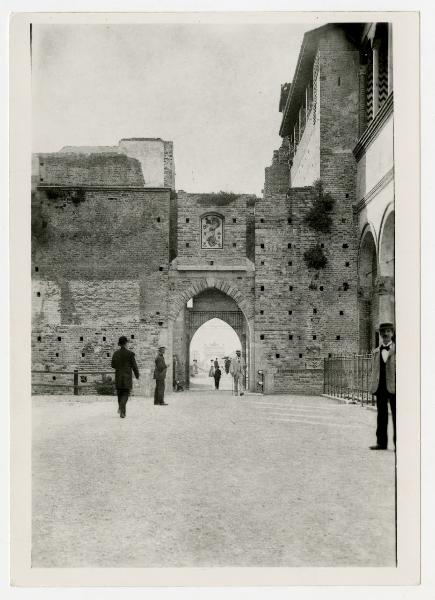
{"x": 210, "y": 480}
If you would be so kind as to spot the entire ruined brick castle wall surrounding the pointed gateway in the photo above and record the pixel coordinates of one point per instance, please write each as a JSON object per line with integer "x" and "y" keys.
{"x": 101, "y": 258}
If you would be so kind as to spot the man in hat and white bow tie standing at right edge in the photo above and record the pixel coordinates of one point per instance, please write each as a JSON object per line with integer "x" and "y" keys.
{"x": 383, "y": 384}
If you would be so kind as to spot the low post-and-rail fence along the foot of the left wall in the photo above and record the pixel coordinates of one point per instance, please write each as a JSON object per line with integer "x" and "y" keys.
{"x": 78, "y": 381}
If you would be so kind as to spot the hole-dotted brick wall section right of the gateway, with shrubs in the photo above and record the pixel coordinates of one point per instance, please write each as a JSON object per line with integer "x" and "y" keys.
{"x": 302, "y": 315}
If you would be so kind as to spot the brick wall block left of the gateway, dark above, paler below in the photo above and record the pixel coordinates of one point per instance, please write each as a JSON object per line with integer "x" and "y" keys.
{"x": 99, "y": 270}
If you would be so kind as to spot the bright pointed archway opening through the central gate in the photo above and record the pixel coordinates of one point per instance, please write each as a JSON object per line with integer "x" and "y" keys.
{"x": 214, "y": 341}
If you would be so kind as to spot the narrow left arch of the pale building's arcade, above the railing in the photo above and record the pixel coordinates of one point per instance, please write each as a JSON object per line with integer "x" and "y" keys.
{"x": 367, "y": 299}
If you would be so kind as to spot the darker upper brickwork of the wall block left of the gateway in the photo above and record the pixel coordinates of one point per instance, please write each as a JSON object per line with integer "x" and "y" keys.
{"x": 101, "y": 234}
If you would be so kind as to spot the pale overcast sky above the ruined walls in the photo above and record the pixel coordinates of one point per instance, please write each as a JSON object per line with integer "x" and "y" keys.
{"x": 211, "y": 89}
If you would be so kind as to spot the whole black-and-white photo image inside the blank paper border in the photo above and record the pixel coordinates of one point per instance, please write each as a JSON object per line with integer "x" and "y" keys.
{"x": 214, "y": 316}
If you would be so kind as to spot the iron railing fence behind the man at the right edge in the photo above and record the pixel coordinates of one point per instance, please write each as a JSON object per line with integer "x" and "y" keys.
{"x": 348, "y": 377}
